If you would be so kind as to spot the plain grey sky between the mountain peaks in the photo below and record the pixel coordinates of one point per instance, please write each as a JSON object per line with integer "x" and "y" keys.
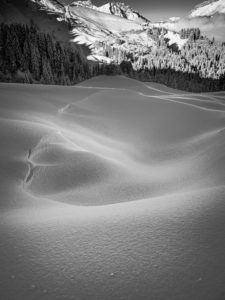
{"x": 157, "y": 10}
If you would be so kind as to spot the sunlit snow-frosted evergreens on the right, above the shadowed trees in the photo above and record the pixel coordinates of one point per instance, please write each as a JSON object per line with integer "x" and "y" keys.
{"x": 199, "y": 55}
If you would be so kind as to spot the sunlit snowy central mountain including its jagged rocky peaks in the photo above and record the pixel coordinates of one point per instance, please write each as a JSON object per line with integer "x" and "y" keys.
{"x": 99, "y": 27}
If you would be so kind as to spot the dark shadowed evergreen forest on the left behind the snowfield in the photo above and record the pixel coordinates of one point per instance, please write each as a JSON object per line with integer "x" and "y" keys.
{"x": 27, "y": 55}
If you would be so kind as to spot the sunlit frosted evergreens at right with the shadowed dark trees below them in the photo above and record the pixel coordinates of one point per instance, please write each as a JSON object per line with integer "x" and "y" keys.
{"x": 199, "y": 66}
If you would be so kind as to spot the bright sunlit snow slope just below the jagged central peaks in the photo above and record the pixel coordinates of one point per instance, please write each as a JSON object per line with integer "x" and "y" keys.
{"x": 97, "y": 29}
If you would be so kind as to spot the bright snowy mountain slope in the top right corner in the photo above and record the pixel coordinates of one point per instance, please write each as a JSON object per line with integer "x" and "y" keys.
{"x": 208, "y": 9}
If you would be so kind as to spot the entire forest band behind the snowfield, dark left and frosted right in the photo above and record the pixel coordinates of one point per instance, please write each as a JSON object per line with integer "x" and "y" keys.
{"x": 29, "y": 56}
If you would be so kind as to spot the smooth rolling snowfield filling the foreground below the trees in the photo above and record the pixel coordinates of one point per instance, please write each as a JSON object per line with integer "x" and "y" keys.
{"x": 109, "y": 186}
